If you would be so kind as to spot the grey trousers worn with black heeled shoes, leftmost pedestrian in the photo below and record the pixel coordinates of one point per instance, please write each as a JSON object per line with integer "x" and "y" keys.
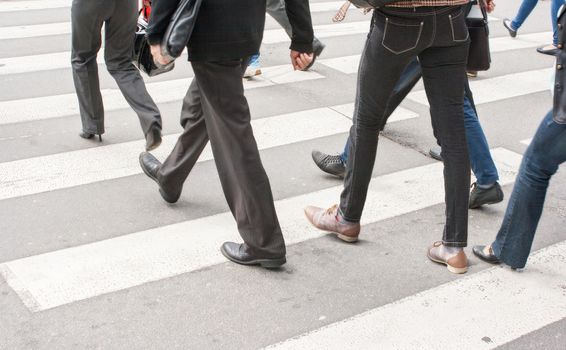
{"x": 120, "y": 19}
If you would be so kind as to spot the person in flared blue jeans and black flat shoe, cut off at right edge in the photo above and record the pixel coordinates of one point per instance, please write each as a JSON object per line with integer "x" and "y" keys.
{"x": 544, "y": 155}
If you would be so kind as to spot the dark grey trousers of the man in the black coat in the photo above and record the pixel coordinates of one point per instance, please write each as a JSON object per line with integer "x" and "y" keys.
{"x": 216, "y": 109}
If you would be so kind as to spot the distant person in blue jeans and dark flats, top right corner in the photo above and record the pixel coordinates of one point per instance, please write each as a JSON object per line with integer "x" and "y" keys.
{"x": 525, "y": 10}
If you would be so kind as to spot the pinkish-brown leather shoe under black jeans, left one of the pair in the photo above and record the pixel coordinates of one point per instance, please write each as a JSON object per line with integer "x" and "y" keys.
{"x": 328, "y": 220}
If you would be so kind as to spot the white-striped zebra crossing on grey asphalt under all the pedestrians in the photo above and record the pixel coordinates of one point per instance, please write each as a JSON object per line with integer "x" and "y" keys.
{"x": 179, "y": 252}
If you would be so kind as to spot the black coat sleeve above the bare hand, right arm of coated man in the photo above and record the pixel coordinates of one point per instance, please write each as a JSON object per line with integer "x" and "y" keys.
{"x": 299, "y": 15}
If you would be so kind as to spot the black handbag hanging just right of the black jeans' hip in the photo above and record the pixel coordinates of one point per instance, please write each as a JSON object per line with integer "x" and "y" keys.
{"x": 479, "y": 58}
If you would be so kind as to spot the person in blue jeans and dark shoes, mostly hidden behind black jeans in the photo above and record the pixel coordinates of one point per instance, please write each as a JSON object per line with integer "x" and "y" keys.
{"x": 486, "y": 189}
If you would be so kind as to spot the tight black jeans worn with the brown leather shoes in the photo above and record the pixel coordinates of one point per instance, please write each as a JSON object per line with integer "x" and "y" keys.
{"x": 438, "y": 36}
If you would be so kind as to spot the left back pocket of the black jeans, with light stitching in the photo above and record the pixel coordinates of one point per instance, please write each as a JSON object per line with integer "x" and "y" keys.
{"x": 401, "y": 37}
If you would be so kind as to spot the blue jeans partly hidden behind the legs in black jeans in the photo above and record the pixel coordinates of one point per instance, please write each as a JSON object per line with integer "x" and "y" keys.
{"x": 480, "y": 157}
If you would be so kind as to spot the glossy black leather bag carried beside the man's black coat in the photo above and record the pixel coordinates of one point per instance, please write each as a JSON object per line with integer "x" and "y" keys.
{"x": 180, "y": 28}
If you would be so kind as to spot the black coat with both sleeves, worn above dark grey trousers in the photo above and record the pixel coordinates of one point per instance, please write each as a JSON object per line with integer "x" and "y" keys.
{"x": 231, "y": 29}
